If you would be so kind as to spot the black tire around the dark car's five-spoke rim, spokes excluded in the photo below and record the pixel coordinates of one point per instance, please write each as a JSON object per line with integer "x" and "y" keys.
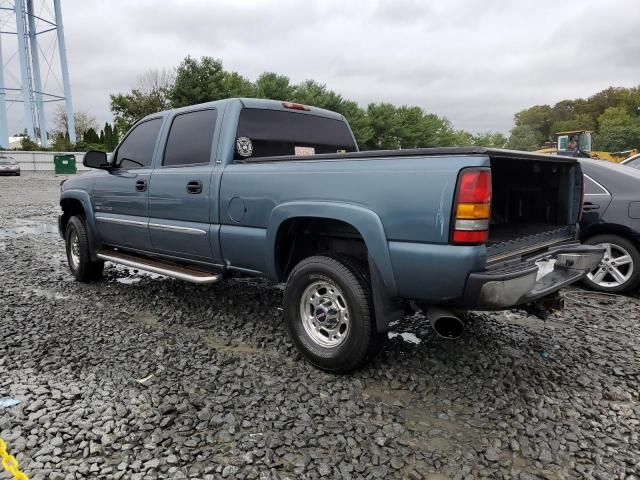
{"x": 618, "y": 245}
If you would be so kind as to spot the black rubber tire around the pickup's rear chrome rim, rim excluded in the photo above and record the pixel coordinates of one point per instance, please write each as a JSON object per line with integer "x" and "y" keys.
{"x": 360, "y": 339}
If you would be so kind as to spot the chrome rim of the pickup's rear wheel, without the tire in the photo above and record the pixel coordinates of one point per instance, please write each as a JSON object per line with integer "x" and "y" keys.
{"x": 325, "y": 314}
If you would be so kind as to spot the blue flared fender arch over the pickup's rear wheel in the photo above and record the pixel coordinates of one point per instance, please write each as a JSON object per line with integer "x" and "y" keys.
{"x": 362, "y": 219}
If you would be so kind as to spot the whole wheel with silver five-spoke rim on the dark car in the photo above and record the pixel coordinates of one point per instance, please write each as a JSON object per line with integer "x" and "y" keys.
{"x": 619, "y": 270}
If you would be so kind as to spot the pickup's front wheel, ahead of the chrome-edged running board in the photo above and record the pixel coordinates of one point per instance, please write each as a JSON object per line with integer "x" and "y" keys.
{"x": 80, "y": 263}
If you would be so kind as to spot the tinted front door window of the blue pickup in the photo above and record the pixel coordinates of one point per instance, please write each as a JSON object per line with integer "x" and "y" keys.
{"x": 136, "y": 151}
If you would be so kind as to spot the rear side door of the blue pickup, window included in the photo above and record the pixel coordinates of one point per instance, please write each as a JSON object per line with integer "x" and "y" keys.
{"x": 180, "y": 200}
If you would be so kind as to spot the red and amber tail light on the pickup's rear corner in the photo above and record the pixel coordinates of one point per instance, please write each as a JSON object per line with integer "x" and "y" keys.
{"x": 472, "y": 207}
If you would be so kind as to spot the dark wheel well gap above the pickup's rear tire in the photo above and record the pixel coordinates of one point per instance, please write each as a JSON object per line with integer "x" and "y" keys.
{"x": 302, "y": 237}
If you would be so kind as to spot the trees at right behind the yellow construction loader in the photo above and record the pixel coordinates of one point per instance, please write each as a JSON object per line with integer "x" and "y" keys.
{"x": 612, "y": 114}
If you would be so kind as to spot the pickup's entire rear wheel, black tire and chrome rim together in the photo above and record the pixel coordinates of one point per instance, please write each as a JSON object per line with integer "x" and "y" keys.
{"x": 329, "y": 312}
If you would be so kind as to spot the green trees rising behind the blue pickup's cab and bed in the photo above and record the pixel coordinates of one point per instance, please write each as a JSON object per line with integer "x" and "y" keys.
{"x": 376, "y": 126}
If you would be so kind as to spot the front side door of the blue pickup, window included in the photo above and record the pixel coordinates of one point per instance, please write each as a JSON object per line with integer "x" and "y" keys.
{"x": 120, "y": 196}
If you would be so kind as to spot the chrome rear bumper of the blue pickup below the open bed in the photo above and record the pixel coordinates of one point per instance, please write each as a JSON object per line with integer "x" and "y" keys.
{"x": 509, "y": 285}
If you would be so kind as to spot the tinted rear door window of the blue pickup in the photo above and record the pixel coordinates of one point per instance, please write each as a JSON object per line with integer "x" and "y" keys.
{"x": 190, "y": 138}
